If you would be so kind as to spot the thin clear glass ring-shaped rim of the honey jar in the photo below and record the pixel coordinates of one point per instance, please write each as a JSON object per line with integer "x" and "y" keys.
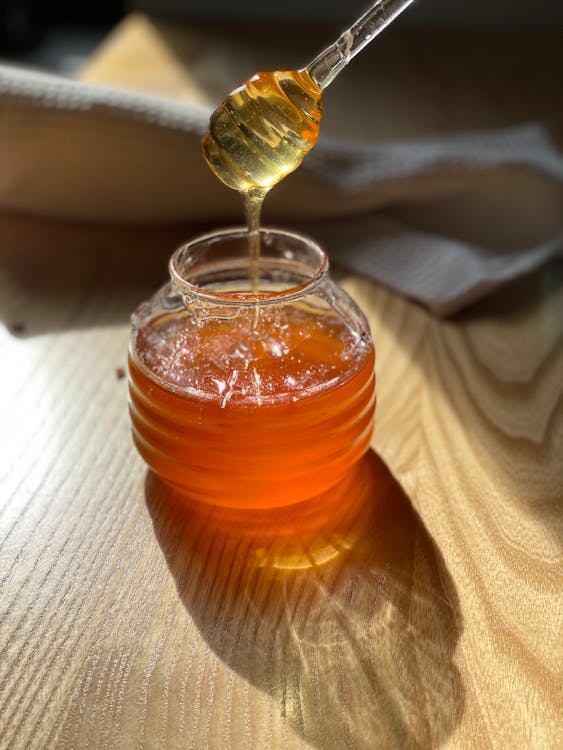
{"x": 251, "y": 297}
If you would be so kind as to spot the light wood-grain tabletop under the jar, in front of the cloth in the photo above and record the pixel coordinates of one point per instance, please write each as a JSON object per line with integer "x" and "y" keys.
{"x": 423, "y": 612}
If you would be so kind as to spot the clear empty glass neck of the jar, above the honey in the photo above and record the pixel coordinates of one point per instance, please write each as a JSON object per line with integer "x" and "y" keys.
{"x": 218, "y": 268}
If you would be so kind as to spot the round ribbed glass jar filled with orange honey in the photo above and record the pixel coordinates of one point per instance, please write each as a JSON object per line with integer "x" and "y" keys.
{"x": 251, "y": 382}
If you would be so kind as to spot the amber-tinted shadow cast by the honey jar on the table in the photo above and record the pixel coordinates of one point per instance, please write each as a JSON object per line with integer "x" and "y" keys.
{"x": 341, "y": 609}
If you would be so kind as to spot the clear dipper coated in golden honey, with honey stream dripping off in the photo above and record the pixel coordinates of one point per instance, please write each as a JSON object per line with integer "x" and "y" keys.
{"x": 264, "y": 129}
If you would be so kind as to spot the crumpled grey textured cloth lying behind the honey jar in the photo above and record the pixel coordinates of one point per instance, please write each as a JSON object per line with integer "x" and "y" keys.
{"x": 443, "y": 220}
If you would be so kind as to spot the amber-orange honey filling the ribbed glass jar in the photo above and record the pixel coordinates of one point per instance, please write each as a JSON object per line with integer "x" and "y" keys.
{"x": 252, "y": 417}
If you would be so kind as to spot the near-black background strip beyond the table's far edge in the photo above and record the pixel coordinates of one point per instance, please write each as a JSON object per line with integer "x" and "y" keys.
{"x": 60, "y": 36}
